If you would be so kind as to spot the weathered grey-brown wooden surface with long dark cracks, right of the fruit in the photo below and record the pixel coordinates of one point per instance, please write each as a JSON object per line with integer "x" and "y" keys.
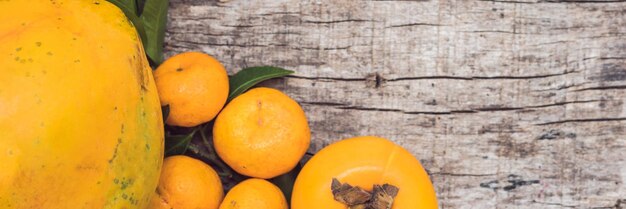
{"x": 507, "y": 103}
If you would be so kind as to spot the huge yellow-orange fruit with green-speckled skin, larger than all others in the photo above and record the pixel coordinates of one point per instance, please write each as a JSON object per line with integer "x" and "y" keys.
{"x": 80, "y": 120}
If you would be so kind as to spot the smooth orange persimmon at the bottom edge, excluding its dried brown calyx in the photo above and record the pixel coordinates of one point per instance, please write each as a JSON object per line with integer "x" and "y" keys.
{"x": 363, "y": 162}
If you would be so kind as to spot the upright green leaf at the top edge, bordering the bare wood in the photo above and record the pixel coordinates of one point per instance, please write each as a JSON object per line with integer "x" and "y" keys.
{"x": 154, "y": 17}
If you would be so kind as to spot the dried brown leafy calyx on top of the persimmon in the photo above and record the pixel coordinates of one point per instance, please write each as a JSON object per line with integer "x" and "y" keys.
{"x": 356, "y": 197}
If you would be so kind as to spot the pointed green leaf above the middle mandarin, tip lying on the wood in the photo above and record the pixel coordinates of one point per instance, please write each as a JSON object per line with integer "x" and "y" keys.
{"x": 248, "y": 77}
